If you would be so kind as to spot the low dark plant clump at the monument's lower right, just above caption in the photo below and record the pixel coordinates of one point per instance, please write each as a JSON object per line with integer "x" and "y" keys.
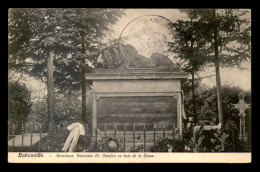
{"x": 162, "y": 145}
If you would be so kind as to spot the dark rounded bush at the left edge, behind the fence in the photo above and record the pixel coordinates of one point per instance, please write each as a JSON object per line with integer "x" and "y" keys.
{"x": 19, "y": 105}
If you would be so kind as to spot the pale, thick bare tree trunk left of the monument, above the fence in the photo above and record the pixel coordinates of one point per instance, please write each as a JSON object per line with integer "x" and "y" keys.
{"x": 50, "y": 90}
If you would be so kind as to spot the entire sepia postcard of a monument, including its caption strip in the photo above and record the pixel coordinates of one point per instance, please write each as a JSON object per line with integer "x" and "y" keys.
{"x": 144, "y": 85}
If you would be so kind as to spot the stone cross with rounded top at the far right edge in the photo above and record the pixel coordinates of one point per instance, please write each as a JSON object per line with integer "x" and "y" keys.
{"x": 241, "y": 106}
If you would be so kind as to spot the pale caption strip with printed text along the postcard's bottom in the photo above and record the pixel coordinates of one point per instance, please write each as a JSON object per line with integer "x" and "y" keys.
{"x": 139, "y": 157}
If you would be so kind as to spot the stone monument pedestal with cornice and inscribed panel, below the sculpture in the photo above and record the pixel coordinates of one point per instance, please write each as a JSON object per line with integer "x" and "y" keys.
{"x": 136, "y": 97}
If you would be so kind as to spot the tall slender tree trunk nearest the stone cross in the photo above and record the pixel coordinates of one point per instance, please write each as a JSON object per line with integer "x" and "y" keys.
{"x": 218, "y": 83}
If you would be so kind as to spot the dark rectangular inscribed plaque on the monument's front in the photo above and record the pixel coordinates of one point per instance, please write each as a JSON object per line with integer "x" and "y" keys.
{"x": 136, "y": 110}
